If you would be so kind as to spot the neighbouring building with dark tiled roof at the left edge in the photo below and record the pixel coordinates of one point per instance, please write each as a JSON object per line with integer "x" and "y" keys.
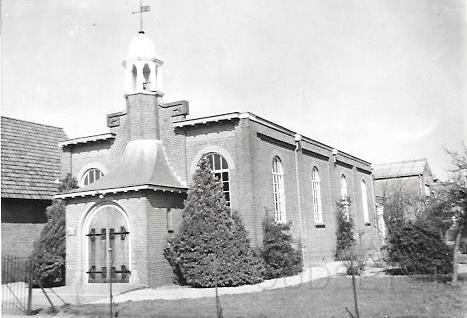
{"x": 30, "y": 170}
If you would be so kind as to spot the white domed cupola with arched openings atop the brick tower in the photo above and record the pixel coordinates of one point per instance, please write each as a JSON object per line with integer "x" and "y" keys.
{"x": 142, "y": 68}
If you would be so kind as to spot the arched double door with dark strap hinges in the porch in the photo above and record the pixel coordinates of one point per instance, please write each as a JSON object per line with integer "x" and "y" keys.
{"x": 107, "y": 235}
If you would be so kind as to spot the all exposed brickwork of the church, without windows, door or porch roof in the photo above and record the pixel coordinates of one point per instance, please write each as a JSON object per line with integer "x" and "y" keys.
{"x": 249, "y": 148}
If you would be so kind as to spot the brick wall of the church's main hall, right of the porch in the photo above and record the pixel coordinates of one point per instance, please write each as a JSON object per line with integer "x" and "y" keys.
{"x": 251, "y": 148}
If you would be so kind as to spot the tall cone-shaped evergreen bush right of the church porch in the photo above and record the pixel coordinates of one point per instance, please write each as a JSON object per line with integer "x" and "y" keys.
{"x": 210, "y": 231}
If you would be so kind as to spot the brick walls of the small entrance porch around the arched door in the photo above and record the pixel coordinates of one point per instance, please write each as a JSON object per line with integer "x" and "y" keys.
{"x": 148, "y": 235}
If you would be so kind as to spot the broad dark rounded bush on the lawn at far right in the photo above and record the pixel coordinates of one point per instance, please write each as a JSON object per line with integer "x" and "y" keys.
{"x": 415, "y": 250}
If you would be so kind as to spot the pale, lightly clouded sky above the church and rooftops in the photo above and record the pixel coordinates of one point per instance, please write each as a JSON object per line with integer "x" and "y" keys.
{"x": 382, "y": 80}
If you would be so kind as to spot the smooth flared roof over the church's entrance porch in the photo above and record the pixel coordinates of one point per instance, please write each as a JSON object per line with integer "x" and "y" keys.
{"x": 144, "y": 165}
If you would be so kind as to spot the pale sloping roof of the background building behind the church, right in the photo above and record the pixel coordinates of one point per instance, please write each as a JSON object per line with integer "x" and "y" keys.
{"x": 399, "y": 169}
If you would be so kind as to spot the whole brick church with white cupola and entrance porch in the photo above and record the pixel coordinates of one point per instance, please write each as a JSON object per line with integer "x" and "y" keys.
{"x": 134, "y": 178}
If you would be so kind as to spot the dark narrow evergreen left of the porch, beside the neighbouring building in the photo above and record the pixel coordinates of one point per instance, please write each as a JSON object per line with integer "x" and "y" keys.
{"x": 49, "y": 253}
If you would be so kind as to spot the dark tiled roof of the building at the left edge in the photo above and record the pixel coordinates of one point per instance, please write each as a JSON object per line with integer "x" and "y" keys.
{"x": 30, "y": 159}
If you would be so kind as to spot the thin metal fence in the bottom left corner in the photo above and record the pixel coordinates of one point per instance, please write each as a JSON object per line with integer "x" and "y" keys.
{"x": 16, "y": 284}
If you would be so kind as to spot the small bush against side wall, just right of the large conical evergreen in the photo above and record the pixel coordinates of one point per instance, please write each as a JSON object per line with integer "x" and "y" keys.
{"x": 280, "y": 255}
